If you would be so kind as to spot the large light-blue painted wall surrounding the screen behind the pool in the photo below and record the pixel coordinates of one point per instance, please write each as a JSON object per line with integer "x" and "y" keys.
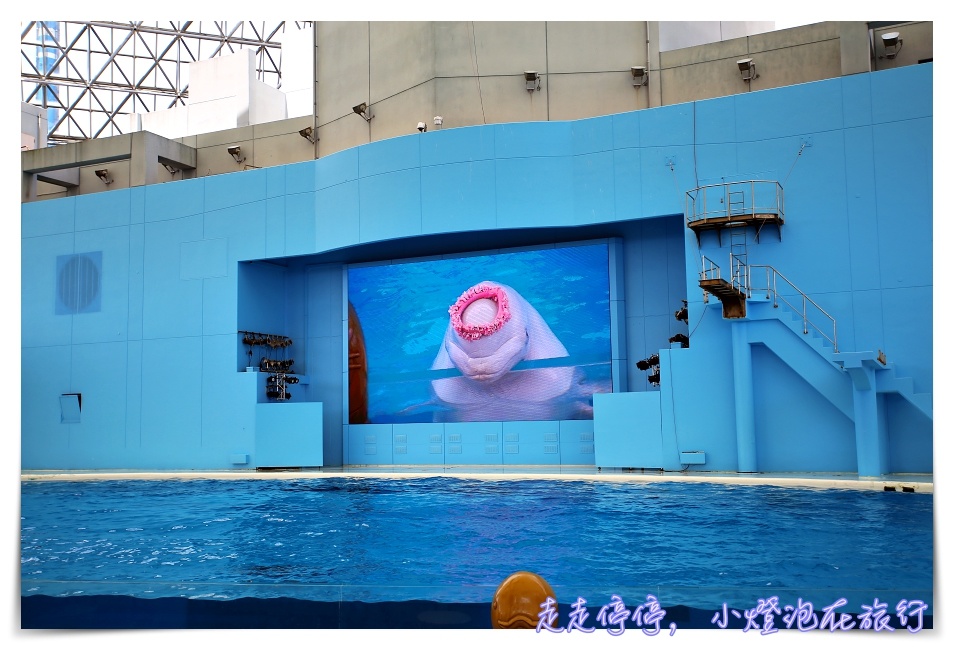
{"x": 186, "y": 265}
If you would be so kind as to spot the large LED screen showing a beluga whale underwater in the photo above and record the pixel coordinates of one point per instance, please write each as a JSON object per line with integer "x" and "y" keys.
{"x": 508, "y": 336}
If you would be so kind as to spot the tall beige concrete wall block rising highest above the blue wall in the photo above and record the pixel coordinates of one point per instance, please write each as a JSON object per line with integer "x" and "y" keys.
{"x": 470, "y": 73}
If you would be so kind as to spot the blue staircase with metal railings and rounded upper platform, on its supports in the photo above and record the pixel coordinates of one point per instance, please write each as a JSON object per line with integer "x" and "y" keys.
{"x": 767, "y": 309}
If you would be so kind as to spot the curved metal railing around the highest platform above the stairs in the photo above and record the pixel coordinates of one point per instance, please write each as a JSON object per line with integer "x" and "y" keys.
{"x": 738, "y": 198}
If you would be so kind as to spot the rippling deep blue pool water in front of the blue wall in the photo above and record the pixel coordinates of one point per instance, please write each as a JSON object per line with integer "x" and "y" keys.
{"x": 452, "y": 541}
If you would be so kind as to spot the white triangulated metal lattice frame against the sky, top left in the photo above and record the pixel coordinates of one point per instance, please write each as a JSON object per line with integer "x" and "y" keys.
{"x": 86, "y": 74}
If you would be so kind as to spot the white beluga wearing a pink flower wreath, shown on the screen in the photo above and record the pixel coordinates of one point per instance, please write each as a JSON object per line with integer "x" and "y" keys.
{"x": 492, "y": 328}
